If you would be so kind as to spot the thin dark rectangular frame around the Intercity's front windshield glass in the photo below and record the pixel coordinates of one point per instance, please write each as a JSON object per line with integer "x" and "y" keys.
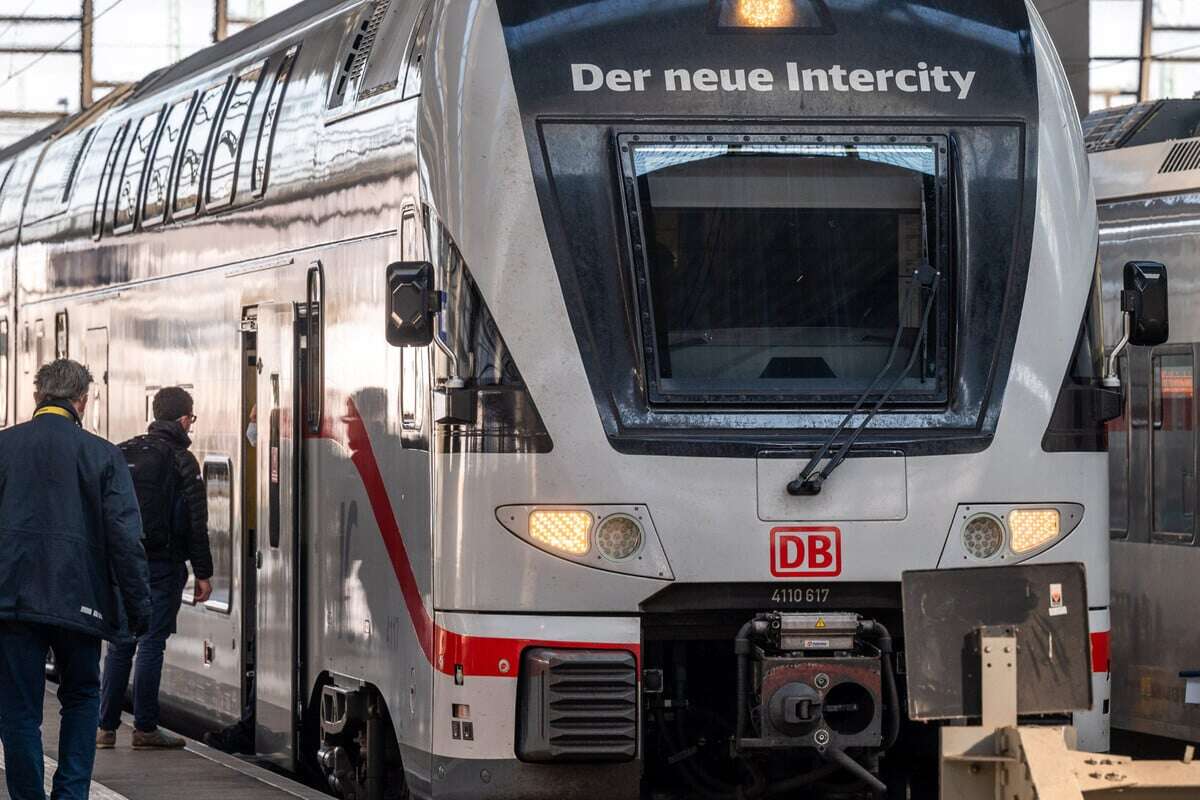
{"x": 939, "y": 238}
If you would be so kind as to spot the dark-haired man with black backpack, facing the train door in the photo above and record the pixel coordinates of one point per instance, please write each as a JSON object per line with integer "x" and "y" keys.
{"x": 176, "y": 519}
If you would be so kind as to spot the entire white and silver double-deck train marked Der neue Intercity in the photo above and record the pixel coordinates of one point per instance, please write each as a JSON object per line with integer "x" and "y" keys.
{"x": 513, "y": 562}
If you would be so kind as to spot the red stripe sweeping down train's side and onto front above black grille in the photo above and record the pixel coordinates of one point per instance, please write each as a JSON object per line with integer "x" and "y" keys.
{"x": 478, "y": 655}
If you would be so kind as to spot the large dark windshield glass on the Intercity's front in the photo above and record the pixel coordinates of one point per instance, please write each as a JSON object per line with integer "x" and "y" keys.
{"x": 773, "y": 272}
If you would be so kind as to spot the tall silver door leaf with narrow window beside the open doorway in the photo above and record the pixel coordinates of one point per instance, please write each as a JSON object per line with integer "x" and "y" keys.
{"x": 277, "y": 542}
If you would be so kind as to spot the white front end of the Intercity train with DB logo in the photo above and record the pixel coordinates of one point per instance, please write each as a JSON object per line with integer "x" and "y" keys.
{"x": 748, "y": 308}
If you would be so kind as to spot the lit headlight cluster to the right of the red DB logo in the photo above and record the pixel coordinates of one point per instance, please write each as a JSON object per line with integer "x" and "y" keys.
{"x": 1023, "y": 531}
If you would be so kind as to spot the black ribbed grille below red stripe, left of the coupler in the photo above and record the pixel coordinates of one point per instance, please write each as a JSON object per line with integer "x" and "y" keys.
{"x": 578, "y": 706}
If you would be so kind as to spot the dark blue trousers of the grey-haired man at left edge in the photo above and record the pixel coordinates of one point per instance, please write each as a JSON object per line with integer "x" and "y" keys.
{"x": 23, "y": 648}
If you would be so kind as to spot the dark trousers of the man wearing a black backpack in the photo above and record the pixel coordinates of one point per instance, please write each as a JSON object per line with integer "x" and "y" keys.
{"x": 145, "y": 657}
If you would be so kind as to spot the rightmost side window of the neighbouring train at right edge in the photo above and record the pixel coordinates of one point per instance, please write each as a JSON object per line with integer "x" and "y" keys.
{"x": 1173, "y": 448}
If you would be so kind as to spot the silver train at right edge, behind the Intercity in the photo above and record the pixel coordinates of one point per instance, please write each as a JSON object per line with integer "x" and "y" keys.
{"x": 1148, "y": 185}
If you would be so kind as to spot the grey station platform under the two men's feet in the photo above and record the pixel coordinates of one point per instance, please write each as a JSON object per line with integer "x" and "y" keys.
{"x": 125, "y": 774}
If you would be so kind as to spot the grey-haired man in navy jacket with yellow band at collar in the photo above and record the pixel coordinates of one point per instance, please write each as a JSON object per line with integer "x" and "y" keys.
{"x": 73, "y": 573}
